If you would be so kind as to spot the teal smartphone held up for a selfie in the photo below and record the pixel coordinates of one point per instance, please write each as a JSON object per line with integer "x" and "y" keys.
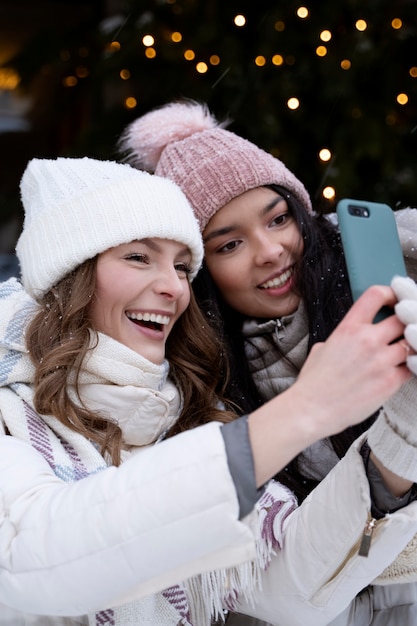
{"x": 371, "y": 245}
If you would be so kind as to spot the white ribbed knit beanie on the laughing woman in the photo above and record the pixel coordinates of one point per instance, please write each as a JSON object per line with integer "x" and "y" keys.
{"x": 77, "y": 208}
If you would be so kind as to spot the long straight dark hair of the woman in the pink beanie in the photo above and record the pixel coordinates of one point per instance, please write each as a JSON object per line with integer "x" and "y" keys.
{"x": 321, "y": 281}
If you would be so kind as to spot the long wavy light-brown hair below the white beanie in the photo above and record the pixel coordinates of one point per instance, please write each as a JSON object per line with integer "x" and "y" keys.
{"x": 59, "y": 336}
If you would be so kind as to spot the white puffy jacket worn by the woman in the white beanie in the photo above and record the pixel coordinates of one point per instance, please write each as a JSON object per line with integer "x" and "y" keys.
{"x": 174, "y": 514}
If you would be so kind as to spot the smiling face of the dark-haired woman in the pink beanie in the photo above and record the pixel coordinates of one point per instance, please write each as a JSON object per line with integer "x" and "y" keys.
{"x": 252, "y": 245}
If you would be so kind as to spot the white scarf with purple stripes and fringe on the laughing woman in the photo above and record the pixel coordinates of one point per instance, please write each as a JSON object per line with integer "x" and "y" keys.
{"x": 72, "y": 457}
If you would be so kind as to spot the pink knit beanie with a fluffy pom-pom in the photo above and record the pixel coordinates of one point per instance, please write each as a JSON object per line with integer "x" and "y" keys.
{"x": 184, "y": 142}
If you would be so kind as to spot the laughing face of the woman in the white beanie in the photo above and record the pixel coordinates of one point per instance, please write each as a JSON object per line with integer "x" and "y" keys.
{"x": 141, "y": 290}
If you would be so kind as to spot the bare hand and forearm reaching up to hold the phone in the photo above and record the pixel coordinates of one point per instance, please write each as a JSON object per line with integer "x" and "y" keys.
{"x": 344, "y": 380}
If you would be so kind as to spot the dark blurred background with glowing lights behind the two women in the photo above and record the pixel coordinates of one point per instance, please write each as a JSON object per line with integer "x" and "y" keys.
{"x": 298, "y": 79}
